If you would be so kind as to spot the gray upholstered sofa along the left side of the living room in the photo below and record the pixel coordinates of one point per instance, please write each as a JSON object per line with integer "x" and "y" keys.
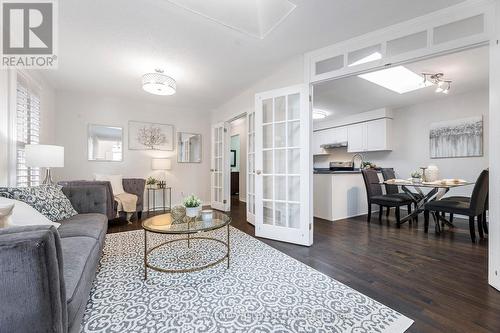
{"x": 46, "y": 273}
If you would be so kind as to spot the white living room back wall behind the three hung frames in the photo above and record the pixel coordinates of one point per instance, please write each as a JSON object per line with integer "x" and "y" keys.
{"x": 75, "y": 111}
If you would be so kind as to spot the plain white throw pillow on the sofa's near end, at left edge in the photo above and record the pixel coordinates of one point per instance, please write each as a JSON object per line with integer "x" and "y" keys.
{"x": 24, "y": 214}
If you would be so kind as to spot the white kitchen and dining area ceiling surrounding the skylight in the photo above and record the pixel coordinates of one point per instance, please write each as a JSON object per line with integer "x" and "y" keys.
{"x": 469, "y": 70}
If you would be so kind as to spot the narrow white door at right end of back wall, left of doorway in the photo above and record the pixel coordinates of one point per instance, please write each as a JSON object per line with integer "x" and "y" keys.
{"x": 220, "y": 167}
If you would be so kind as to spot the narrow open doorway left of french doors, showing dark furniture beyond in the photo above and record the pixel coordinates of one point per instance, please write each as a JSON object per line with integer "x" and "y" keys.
{"x": 238, "y": 159}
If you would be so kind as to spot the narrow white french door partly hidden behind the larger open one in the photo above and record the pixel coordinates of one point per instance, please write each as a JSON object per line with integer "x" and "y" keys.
{"x": 251, "y": 167}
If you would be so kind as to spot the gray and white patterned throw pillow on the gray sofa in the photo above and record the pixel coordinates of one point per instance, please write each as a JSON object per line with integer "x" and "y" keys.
{"x": 47, "y": 199}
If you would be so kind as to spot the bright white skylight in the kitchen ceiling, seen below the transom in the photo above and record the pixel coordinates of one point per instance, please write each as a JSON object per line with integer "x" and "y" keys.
{"x": 398, "y": 79}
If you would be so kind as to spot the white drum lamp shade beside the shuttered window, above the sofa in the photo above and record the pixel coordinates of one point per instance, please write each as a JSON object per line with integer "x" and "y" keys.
{"x": 45, "y": 156}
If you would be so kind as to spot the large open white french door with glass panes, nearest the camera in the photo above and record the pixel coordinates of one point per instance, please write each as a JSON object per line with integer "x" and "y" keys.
{"x": 283, "y": 165}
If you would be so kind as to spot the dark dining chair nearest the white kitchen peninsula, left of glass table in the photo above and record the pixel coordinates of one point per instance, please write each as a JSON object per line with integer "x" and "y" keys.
{"x": 375, "y": 196}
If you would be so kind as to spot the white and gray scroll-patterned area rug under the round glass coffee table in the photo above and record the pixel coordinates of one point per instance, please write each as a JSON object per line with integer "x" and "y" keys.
{"x": 264, "y": 290}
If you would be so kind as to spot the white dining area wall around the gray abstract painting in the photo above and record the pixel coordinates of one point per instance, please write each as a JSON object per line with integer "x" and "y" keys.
{"x": 411, "y": 139}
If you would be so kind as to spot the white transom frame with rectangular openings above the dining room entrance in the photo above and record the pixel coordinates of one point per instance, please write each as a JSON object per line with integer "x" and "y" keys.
{"x": 481, "y": 9}
